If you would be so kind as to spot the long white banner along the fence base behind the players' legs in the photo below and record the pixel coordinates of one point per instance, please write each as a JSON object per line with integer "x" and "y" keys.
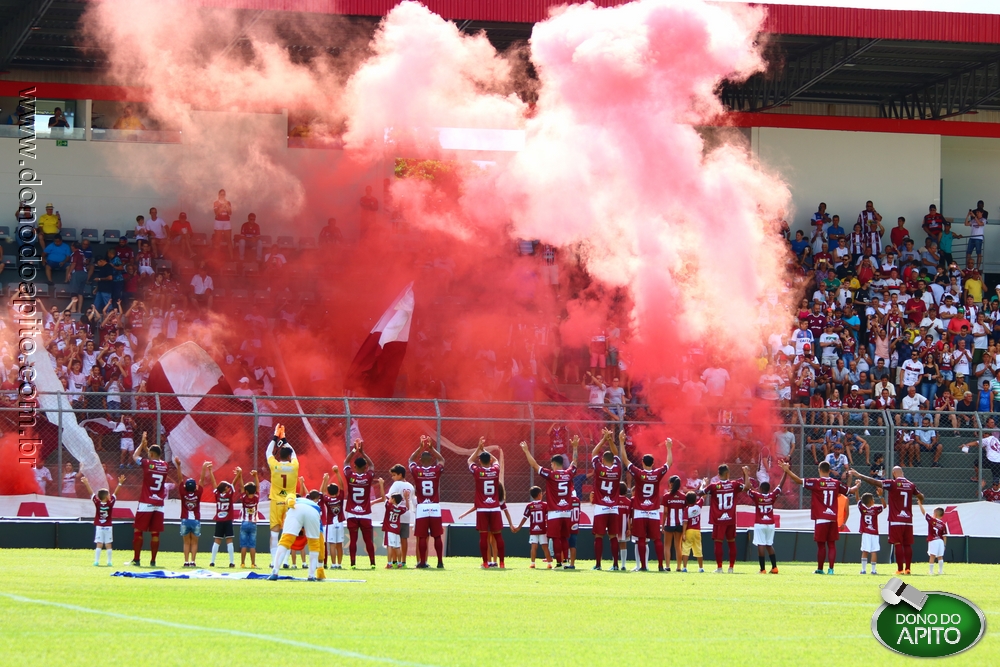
{"x": 979, "y": 519}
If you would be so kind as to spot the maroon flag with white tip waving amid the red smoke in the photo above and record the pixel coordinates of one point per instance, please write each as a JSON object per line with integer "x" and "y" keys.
{"x": 376, "y": 366}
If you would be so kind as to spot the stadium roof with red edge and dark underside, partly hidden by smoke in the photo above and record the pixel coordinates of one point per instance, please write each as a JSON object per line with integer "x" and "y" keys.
{"x": 908, "y": 64}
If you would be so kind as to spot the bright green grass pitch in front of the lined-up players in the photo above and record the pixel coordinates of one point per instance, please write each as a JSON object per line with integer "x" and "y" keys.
{"x": 56, "y": 608}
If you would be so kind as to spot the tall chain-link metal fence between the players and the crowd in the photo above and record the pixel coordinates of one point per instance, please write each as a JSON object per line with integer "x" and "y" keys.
{"x": 321, "y": 429}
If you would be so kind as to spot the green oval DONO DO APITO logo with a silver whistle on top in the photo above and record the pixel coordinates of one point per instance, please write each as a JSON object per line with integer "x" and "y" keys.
{"x": 926, "y": 625}
